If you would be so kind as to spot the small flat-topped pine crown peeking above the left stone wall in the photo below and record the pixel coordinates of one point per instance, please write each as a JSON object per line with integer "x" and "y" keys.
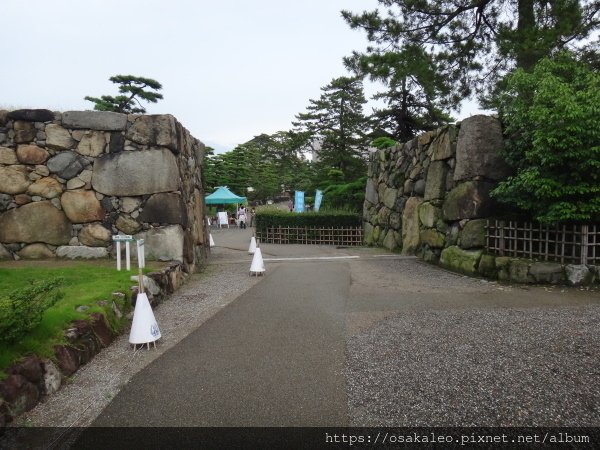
{"x": 132, "y": 89}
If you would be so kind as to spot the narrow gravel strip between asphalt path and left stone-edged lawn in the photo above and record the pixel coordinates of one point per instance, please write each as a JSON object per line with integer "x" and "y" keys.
{"x": 86, "y": 394}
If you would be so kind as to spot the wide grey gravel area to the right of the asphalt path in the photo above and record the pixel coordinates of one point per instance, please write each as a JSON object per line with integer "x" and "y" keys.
{"x": 462, "y": 352}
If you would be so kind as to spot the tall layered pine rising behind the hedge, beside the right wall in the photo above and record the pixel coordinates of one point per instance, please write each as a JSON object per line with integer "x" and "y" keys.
{"x": 337, "y": 122}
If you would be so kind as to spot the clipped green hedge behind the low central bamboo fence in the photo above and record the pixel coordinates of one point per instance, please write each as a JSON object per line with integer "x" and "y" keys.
{"x": 272, "y": 217}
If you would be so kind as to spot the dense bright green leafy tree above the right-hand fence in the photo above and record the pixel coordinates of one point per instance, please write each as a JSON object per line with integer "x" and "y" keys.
{"x": 552, "y": 119}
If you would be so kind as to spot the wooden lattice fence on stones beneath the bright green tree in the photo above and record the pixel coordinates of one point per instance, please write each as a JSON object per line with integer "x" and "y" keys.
{"x": 578, "y": 244}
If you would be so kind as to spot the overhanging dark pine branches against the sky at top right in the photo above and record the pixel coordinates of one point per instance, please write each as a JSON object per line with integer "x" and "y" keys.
{"x": 472, "y": 42}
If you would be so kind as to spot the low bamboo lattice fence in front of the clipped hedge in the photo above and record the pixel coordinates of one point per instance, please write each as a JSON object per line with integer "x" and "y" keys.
{"x": 349, "y": 236}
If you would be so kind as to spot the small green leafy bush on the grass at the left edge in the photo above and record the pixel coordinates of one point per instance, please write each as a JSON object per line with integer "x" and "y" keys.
{"x": 22, "y": 309}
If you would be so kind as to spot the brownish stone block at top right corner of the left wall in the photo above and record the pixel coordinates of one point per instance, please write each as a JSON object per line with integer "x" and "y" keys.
{"x": 160, "y": 130}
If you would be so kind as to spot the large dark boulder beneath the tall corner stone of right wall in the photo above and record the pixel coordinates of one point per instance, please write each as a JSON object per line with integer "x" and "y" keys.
{"x": 469, "y": 200}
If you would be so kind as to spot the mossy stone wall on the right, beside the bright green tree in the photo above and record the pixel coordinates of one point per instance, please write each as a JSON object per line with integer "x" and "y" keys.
{"x": 432, "y": 193}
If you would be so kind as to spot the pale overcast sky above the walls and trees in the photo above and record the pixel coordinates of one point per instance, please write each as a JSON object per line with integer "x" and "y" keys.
{"x": 230, "y": 69}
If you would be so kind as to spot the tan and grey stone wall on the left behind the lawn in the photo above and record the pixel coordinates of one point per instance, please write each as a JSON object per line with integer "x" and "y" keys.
{"x": 69, "y": 181}
